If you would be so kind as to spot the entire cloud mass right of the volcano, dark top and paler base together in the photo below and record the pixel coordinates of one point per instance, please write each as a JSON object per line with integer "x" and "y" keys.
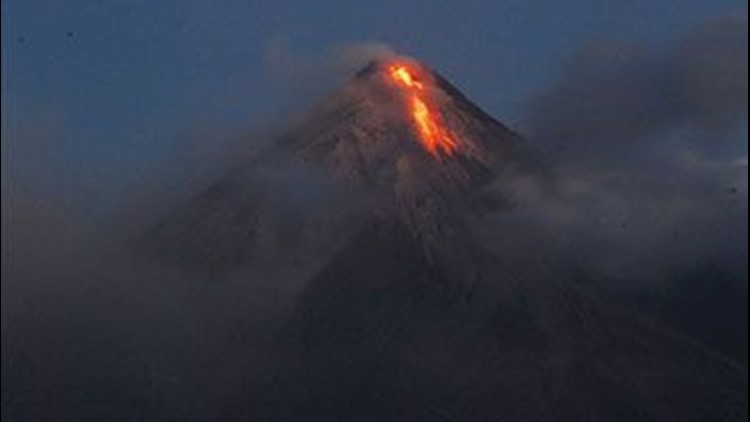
{"x": 648, "y": 172}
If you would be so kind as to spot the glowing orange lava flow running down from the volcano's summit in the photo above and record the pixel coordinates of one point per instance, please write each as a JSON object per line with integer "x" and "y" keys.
{"x": 429, "y": 124}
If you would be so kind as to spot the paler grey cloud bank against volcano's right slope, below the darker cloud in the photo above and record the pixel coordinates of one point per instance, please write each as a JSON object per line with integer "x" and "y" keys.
{"x": 635, "y": 228}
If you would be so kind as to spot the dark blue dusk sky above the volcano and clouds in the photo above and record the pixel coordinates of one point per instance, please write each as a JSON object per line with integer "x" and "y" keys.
{"x": 99, "y": 93}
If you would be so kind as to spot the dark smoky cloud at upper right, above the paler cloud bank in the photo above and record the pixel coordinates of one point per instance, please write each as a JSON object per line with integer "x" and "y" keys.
{"x": 615, "y": 96}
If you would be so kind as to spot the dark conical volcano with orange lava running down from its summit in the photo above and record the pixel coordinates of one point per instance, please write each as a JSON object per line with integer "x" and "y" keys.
{"x": 404, "y": 314}
